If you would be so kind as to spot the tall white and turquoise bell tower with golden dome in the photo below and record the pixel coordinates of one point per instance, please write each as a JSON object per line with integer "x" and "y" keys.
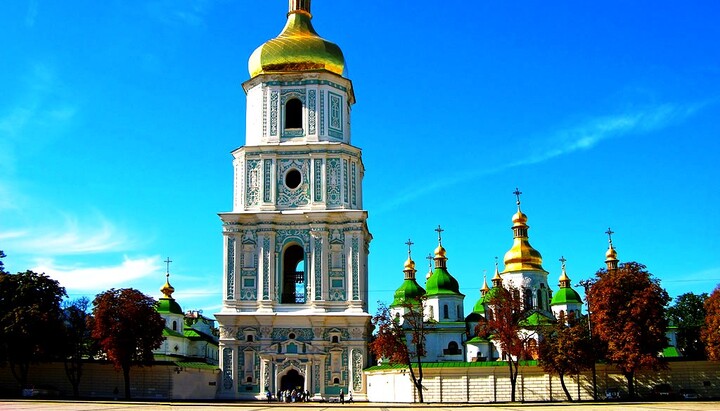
{"x": 294, "y": 307}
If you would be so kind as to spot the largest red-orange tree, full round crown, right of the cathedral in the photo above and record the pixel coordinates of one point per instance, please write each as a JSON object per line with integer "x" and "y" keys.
{"x": 629, "y": 318}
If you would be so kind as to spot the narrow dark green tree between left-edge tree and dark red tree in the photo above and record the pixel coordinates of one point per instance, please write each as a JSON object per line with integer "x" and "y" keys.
{"x": 77, "y": 340}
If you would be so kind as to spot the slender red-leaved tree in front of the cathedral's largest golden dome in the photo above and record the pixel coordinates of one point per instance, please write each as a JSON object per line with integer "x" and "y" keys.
{"x": 505, "y": 314}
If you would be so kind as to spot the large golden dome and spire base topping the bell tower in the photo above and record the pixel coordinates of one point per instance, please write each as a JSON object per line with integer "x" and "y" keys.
{"x": 297, "y": 48}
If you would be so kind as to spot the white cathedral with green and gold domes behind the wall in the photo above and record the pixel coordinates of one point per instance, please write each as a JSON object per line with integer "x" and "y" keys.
{"x": 449, "y": 335}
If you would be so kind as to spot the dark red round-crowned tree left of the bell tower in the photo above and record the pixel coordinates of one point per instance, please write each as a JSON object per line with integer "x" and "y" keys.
{"x": 128, "y": 328}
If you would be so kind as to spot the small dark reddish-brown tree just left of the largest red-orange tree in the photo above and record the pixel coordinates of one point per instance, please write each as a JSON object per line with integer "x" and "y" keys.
{"x": 566, "y": 349}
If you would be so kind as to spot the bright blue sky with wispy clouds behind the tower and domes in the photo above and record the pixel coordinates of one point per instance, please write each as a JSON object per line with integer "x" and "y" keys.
{"x": 117, "y": 120}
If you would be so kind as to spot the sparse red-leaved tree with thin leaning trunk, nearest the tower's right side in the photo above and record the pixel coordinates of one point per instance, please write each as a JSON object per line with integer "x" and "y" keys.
{"x": 401, "y": 340}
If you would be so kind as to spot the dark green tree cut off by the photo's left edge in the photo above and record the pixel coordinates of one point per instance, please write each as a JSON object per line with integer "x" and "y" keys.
{"x": 30, "y": 320}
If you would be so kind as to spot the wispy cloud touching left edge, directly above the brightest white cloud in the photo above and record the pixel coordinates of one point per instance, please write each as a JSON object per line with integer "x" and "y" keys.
{"x": 90, "y": 236}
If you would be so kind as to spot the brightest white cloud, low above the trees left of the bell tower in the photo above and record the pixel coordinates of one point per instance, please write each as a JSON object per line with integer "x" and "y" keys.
{"x": 101, "y": 278}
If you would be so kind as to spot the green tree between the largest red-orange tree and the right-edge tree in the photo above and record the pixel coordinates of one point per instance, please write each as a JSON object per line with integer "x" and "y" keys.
{"x": 688, "y": 314}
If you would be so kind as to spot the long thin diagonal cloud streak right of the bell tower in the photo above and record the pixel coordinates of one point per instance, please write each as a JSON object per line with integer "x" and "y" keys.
{"x": 562, "y": 142}
